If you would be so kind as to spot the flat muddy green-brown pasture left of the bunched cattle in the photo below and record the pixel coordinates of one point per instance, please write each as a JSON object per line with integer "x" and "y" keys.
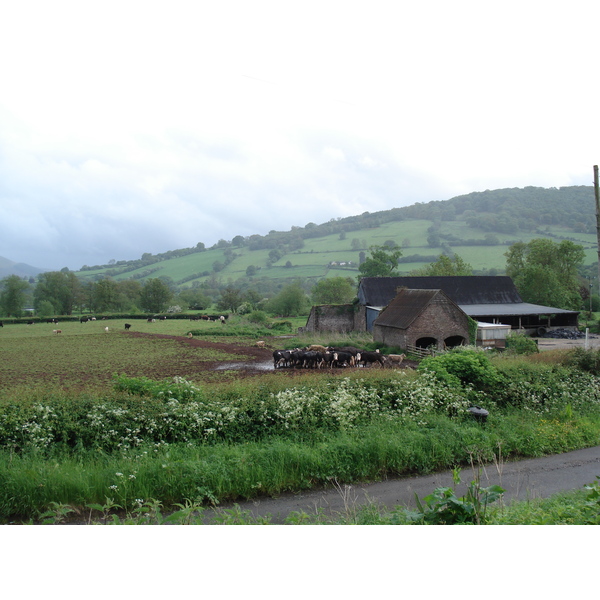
{"x": 85, "y": 356}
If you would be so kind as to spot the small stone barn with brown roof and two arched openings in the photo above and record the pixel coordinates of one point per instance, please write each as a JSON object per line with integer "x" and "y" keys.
{"x": 421, "y": 318}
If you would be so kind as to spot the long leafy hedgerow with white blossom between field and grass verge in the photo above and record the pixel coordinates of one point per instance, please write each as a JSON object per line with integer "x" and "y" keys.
{"x": 142, "y": 411}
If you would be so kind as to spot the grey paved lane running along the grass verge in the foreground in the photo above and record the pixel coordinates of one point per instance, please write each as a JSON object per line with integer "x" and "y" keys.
{"x": 532, "y": 478}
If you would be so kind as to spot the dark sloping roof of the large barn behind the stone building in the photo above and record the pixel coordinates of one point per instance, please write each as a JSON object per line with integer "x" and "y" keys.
{"x": 474, "y": 289}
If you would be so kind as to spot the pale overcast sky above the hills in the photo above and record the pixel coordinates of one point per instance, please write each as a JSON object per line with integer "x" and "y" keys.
{"x": 132, "y": 127}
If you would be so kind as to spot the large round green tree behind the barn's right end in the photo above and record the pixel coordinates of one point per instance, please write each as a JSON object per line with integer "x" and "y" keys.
{"x": 545, "y": 272}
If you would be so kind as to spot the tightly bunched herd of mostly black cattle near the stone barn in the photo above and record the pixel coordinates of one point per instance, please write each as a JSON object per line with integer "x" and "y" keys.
{"x": 318, "y": 357}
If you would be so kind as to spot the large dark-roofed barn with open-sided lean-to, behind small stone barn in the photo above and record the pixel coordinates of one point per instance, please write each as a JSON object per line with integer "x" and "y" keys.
{"x": 491, "y": 299}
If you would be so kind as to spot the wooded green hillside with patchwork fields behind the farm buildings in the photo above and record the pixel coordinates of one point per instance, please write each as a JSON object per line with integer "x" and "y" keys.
{"x": 479, "y": 227}
